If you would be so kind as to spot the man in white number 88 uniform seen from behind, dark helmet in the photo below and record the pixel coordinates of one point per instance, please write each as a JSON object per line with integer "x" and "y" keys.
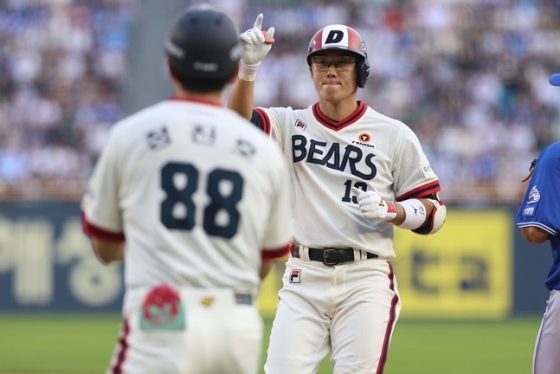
{"x": 196, "y": 202}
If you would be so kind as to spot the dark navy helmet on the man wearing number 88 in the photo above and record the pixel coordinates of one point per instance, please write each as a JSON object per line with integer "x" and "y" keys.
{"x": 203, "y": 45}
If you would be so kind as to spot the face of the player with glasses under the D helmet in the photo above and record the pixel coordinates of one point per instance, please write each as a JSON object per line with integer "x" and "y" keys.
{"x": 334, "y": 75}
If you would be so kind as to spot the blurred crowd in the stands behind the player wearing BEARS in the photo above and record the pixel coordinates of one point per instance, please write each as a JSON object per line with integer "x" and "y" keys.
{"x": 469, "y": 77}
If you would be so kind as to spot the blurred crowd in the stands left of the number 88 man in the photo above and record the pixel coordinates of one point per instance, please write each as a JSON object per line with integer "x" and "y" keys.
{"x": 61, "y": 67}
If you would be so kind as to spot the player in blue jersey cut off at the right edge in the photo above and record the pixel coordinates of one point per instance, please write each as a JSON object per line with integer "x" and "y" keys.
{"x": 539, "y": 220}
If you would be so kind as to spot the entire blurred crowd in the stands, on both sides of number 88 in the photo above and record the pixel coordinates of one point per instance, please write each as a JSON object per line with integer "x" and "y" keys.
{"x": 470, "y": 77}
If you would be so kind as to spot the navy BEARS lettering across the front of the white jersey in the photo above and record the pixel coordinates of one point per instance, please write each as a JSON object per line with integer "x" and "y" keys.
{"x": 334, "y": 156}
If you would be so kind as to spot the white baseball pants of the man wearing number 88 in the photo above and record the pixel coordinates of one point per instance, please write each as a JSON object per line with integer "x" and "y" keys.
{"x": 220, "y": 335}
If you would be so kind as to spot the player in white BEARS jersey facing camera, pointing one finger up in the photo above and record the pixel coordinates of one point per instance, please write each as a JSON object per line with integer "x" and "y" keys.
{"x": 355, "y": 175}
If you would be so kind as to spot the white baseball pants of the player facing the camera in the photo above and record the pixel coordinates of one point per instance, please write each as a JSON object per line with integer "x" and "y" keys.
{"x": 350, "y": 309}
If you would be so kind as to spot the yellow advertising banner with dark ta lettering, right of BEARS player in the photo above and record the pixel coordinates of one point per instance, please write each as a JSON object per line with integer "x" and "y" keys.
{"x": 465, "y": 270}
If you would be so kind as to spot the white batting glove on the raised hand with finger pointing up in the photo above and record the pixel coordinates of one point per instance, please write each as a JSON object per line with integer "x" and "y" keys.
{"x": 255, "y": 45}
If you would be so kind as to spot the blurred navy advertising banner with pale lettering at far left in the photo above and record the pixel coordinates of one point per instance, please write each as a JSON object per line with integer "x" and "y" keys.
{"x": 47, "y": 264}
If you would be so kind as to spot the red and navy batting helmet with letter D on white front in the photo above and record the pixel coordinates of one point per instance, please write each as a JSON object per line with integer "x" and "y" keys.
{"x": 343, "y": 38}
